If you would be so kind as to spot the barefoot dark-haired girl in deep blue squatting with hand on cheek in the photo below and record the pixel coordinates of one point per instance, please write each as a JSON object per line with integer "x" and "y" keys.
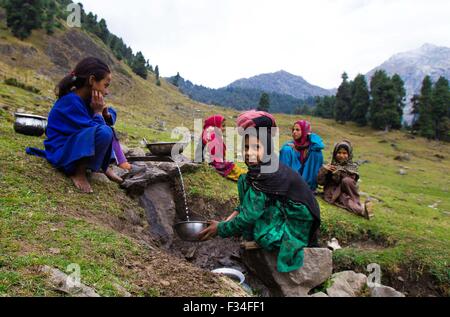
{"x": 79, "y": 133}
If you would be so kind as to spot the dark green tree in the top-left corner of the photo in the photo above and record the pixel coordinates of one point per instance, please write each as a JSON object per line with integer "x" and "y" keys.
{"x": 24, "y": 16}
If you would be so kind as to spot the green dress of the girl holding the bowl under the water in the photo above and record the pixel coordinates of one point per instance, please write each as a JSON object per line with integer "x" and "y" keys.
{"x": 272, "y": 223}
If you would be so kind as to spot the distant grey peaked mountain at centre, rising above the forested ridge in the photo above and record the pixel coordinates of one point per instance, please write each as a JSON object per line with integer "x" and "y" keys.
{"x": 281, "y": 82}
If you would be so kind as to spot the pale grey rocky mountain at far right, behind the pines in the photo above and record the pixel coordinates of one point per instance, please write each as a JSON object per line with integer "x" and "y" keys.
{"x": 413, "y": 66}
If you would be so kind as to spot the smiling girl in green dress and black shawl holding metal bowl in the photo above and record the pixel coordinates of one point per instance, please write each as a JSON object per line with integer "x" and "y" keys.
{"x": 277, "y": 209}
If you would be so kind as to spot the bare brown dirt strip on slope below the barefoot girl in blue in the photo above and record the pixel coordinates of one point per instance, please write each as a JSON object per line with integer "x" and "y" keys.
{"x": 157, "y": 273}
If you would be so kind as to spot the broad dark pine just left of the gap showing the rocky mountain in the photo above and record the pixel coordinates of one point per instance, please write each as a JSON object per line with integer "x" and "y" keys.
{"x": 383, "y": 109}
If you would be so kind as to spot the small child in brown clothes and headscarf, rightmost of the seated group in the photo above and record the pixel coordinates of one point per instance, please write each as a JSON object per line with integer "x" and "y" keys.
{"x": 340, "y": 180}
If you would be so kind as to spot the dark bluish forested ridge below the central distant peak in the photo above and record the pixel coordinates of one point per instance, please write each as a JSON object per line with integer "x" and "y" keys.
{"x": 240, "y": 98}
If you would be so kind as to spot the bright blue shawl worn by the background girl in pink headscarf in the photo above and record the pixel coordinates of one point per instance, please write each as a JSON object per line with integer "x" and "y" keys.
{"x": 314, "y": 162}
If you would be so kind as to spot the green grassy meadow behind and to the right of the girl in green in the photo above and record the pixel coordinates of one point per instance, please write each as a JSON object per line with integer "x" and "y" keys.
{"x": 412, "y": 238}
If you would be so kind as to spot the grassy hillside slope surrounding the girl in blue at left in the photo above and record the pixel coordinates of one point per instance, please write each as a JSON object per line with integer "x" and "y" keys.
{"x": 44, "y": 221}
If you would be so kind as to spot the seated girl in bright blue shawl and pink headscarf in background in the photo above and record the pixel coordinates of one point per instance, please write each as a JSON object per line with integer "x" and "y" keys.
{"x": 304, "y": 153}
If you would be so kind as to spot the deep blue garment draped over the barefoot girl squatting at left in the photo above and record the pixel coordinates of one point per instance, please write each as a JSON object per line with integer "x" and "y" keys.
{"x": 70, "y": 132}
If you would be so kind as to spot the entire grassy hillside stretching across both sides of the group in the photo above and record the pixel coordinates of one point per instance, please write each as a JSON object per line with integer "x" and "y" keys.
{"x": 43, "y": 220}
